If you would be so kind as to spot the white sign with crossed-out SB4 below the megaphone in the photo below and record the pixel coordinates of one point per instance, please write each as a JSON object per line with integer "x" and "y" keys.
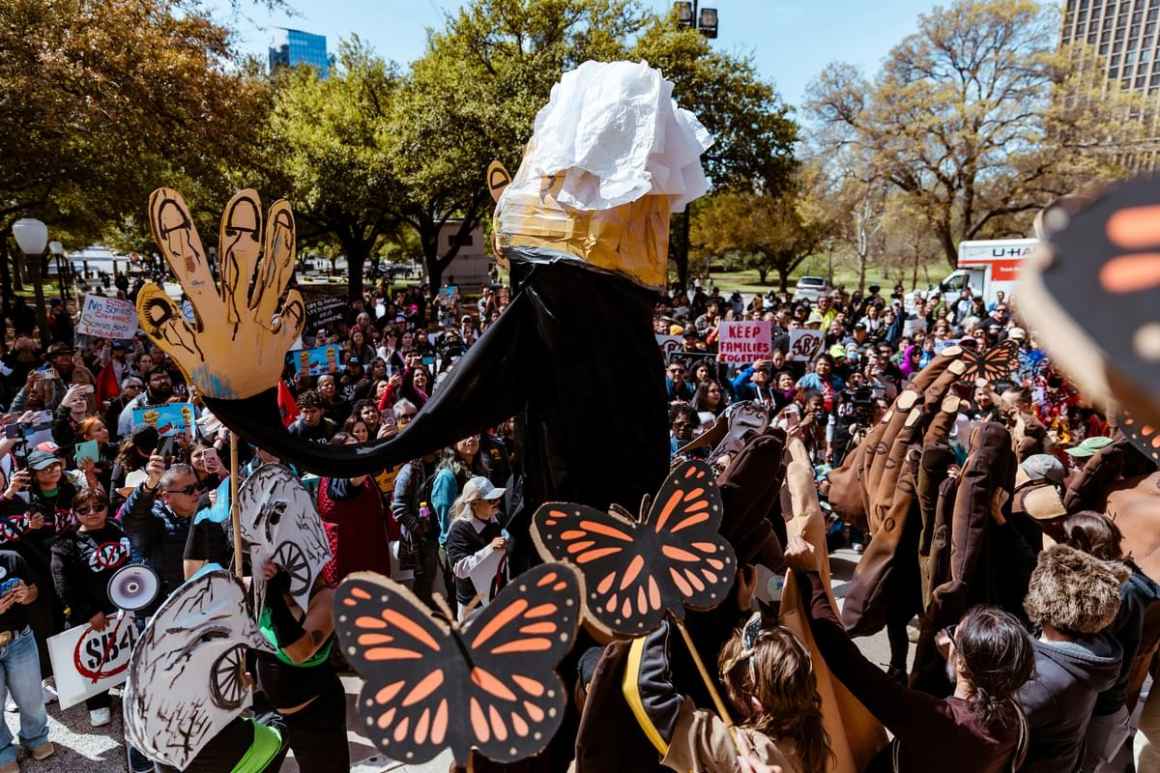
{"x": 89, "y": 662}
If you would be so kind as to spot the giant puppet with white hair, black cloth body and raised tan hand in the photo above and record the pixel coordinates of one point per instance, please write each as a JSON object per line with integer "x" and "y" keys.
{"x": 585, "y": 228}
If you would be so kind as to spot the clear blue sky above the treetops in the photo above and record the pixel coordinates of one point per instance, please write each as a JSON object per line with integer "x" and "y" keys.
{"x": 792, "y": 40}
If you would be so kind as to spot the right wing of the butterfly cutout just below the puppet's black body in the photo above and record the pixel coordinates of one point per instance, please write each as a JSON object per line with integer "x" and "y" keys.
{"x": 700, "y": 566}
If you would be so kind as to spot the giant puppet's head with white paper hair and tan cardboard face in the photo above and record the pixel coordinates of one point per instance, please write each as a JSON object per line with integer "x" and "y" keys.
{"x": 611, "y": 157}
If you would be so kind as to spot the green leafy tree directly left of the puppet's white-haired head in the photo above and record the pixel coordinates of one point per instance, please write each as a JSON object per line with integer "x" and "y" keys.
{"x": 474, "y": 96}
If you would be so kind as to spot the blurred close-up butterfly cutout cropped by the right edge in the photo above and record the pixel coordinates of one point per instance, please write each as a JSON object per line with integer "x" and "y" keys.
{"x": 1092, "y": 293}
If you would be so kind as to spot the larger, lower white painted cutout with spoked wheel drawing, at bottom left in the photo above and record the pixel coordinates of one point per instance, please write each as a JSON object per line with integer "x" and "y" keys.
{"x": 186, "y": 676}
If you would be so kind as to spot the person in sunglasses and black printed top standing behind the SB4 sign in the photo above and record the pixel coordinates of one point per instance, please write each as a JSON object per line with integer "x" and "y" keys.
{"x": 83, "y": 562}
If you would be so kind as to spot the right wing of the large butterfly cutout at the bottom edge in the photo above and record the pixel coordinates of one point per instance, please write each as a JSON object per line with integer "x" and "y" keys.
{"x": 516, "y": 699}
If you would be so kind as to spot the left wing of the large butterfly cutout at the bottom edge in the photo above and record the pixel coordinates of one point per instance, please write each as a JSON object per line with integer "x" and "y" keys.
{"x": 416, "y": 697}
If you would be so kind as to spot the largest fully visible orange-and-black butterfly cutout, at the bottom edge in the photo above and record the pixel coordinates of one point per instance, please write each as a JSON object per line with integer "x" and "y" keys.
{"x": 433, "y": 684}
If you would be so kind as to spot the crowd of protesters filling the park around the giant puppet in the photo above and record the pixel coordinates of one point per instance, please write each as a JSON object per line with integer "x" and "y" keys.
{"x": 1049, "y": 675}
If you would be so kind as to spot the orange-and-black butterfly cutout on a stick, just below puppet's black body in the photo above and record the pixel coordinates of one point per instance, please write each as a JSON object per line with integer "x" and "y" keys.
{"x": 639, "y": 572}
